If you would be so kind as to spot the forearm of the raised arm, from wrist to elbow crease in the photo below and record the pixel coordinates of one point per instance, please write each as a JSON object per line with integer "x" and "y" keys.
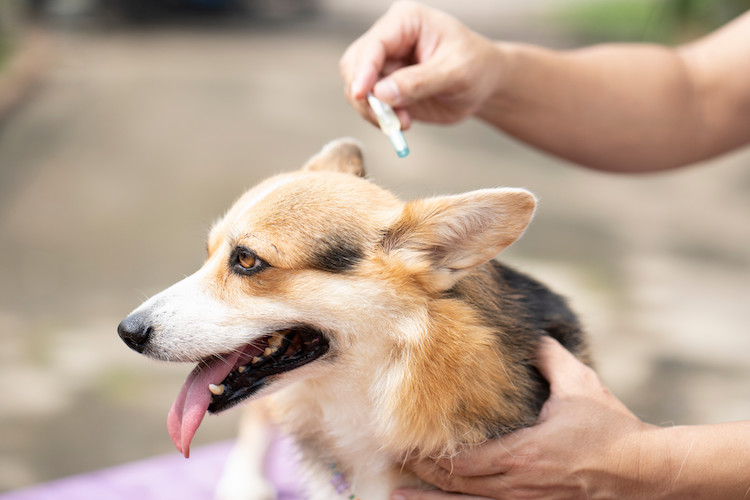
{"x": 611, "y": 107}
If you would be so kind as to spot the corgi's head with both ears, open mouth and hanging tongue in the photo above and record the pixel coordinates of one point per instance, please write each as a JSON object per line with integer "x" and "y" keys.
{"x": 303, "y": 270}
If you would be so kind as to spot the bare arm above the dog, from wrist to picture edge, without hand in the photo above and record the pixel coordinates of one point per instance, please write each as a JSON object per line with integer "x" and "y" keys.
{"x": 628, "y": 107}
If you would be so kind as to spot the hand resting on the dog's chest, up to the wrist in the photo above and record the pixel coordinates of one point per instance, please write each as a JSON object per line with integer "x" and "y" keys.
{"x": 587, "y": 444}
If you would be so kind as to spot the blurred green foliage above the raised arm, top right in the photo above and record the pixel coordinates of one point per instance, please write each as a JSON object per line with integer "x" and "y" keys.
{"x": 662, "y": 21}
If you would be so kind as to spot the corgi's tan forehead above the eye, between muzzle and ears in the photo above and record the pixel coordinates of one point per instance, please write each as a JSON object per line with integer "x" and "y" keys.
{"x": 293, "y": 215}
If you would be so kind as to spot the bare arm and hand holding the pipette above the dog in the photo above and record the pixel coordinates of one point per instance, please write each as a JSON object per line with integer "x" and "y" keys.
{"x": 620, "y": 107}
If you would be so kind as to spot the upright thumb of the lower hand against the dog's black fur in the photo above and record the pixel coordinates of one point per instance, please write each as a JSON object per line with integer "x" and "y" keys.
{"x": 564, "y": 372}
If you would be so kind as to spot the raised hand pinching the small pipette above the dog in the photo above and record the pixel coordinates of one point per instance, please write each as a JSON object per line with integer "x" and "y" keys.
{"x": 433, "y": 68}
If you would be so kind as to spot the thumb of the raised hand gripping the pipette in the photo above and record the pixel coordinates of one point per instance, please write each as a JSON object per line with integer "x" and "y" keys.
{"x": 410, "y": 84}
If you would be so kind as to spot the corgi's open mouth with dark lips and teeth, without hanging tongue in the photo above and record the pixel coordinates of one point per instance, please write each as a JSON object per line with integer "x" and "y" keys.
{"x": 276, "y": 353}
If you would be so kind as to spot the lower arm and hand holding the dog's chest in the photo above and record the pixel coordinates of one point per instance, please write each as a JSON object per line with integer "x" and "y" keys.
{"x": 587, "y": 444}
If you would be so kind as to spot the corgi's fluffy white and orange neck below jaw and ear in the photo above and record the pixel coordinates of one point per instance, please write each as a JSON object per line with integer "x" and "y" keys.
{"x": 410, "y": 395}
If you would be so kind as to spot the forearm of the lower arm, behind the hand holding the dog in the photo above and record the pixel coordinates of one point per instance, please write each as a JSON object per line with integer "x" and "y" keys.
{"x": 701, "y": 462}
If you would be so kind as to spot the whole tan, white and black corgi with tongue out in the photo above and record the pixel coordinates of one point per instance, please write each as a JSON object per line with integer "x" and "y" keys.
{"x": 368, "y": 329}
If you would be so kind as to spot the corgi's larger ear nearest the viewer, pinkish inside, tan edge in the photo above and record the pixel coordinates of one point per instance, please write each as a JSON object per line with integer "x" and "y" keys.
{"x": 441, "y": 239}
